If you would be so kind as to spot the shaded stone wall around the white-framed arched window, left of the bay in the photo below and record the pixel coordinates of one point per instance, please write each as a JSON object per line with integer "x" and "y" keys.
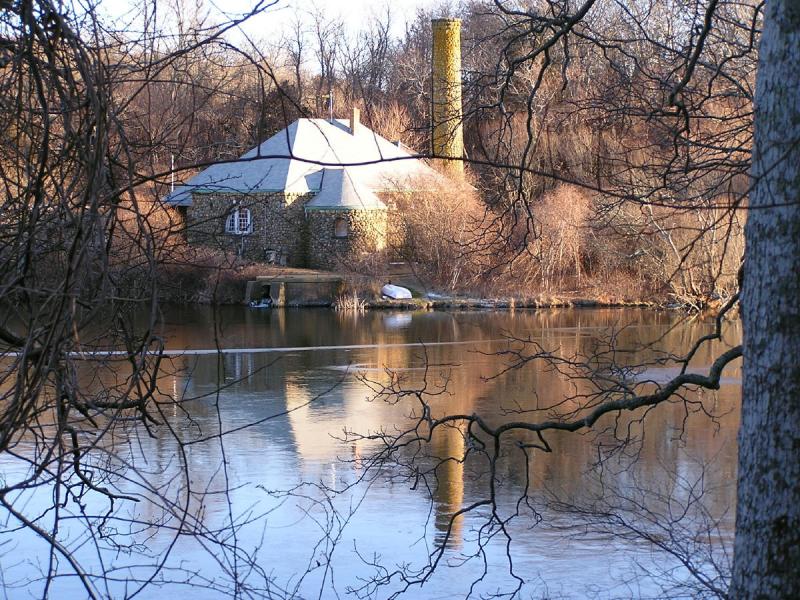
{"x": 277, "y": 221}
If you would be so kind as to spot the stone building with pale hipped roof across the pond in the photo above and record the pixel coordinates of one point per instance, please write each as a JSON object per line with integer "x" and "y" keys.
{"x": 316, "y": 194}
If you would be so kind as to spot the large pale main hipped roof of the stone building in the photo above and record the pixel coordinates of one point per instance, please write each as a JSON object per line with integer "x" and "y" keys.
{"x": 281, "y": 163}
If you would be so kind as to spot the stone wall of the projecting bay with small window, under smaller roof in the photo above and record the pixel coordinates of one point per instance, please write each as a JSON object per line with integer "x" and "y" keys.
{"x": 367, "y": 230}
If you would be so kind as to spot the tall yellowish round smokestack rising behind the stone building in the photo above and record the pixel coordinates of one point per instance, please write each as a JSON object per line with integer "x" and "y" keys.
{"x": 448, "y": 137}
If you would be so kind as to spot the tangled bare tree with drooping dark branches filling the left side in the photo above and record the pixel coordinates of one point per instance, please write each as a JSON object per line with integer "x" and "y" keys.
{"x": 78, "y": 259}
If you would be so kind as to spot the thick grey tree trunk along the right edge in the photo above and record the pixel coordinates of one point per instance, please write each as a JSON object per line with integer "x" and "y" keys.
{"x": 767, "y": 548}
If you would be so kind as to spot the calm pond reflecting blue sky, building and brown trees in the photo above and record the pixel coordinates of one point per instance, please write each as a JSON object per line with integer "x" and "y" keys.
{"x": 290, "y": 502}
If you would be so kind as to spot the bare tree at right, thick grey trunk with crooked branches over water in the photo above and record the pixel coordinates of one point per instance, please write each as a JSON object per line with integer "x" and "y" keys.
{"x": 689, "y": 96}
